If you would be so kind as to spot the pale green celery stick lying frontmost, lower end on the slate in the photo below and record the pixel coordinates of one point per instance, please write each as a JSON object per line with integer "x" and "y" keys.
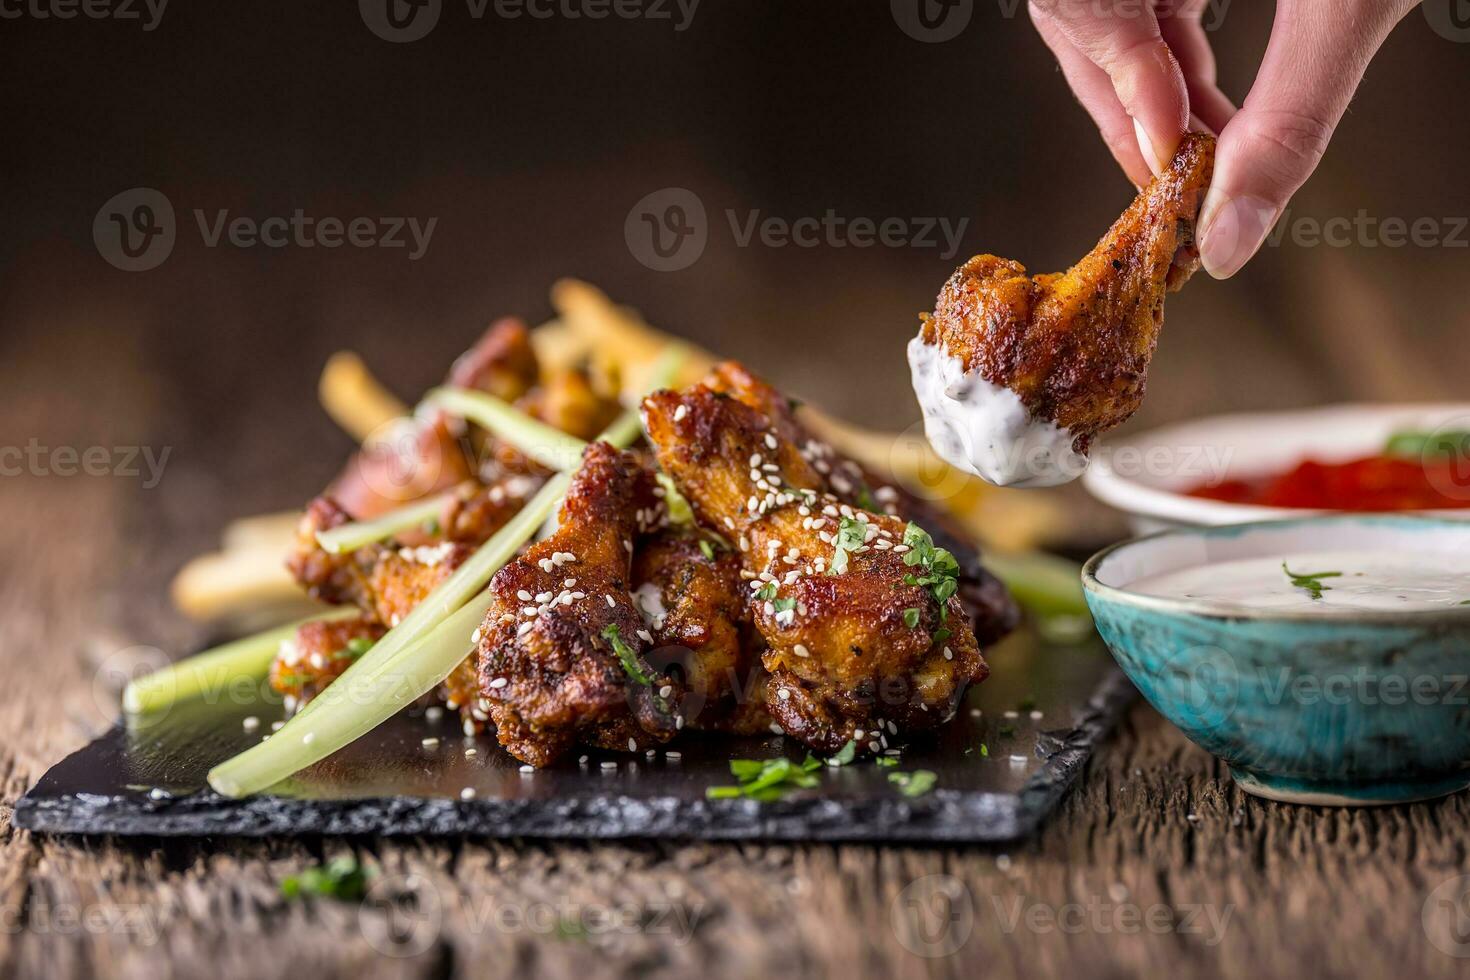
{"x": 354, "y": 709}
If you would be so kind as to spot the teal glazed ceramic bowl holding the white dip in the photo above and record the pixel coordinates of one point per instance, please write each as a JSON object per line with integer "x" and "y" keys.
{"x": 1355, "y": 709}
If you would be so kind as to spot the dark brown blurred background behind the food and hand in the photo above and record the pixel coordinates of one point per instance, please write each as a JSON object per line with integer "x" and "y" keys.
{"x": 531, "y": 140}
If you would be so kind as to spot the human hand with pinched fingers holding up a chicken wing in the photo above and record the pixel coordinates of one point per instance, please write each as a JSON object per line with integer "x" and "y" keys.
{"x": 1146, "y": 73}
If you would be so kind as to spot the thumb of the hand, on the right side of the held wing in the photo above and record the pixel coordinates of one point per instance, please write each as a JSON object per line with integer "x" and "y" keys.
{"x": 1313, "y": 64}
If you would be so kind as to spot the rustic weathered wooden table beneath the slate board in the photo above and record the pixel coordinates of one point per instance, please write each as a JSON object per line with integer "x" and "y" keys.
{"x": 1156, "y": 865}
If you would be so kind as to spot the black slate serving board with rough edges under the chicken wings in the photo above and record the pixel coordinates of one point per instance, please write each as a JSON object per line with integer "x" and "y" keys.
{"x": 149, "y": 779}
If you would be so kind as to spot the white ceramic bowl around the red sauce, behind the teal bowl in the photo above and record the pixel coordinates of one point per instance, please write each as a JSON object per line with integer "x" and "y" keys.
{"x": 1147, "y": 475}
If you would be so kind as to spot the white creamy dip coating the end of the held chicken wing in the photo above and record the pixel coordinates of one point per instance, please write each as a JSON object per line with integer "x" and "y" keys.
{"x": 986, "y": 430}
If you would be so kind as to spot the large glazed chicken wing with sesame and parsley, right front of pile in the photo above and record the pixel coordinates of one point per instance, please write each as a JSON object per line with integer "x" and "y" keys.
{"x": 859, "y": 647}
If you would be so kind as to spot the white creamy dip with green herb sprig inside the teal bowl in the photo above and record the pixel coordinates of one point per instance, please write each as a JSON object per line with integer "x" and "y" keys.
{"x": 1369, "y": 581}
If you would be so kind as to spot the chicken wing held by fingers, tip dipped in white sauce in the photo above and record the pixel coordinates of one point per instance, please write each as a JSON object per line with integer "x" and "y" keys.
{"x": 1018, "y": 374}
